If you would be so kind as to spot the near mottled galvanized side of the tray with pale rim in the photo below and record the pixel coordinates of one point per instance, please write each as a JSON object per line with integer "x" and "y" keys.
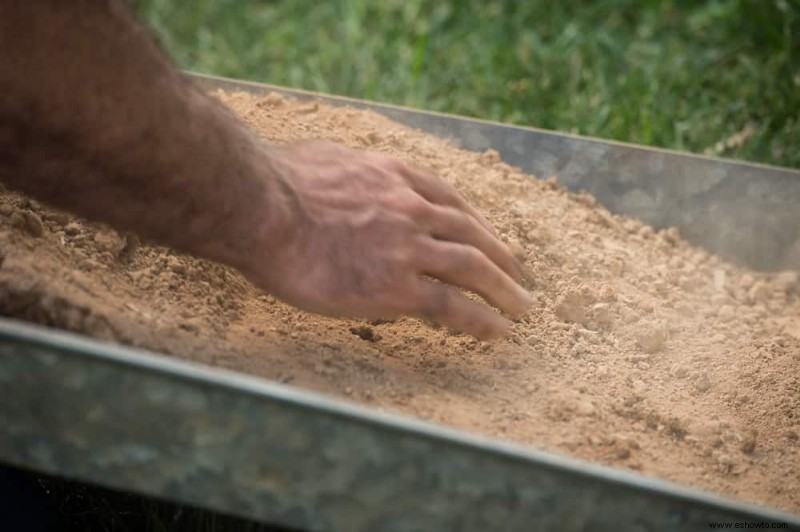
{"x": 133, "y": 420}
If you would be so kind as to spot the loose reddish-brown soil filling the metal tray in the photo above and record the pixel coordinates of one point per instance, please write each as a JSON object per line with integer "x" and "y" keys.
{"x": 641, "y": 352}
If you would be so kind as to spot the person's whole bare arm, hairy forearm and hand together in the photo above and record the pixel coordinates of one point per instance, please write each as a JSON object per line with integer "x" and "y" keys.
{"x": 93, "y": 119}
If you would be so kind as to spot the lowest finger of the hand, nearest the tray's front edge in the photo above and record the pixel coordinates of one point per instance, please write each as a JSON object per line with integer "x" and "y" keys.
{"x": 447, "y": 306}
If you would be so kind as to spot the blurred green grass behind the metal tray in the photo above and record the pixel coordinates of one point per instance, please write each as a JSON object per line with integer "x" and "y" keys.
{"x": 719, "y": 77}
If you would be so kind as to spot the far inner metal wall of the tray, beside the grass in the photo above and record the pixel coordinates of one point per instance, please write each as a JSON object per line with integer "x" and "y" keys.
{"x": 746, "y": 213}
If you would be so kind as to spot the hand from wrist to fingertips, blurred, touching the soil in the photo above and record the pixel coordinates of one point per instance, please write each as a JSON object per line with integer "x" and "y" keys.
{"x": 366, "y": 235}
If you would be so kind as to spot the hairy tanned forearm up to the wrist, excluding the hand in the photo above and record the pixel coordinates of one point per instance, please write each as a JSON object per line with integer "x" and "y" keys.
{"x": 94, "y": 119}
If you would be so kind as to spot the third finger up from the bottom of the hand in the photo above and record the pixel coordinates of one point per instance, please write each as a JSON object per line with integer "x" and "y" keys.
{"x": 447, "y": 223}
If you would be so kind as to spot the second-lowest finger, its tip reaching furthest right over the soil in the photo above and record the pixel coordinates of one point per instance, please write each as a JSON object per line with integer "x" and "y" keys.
{"x": 466, "y": 267}
